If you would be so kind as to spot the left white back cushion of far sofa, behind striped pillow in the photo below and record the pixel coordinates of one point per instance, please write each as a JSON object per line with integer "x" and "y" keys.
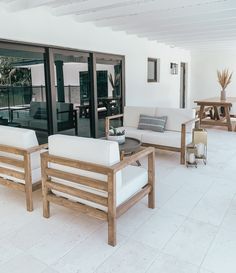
{"x": 132, "y": 113}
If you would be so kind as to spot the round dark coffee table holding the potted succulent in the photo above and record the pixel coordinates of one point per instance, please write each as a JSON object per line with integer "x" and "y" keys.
{"x": 131, "y": 146}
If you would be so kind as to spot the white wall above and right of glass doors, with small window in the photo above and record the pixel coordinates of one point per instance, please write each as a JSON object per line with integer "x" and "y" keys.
{"x": 39, "y": 26}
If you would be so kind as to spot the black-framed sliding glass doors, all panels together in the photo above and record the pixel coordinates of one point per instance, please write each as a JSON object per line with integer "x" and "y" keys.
{"x": 58, "y": 90}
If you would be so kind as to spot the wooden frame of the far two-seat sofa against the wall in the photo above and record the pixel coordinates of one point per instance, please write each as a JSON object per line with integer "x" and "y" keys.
{"x": 181, "y": 150}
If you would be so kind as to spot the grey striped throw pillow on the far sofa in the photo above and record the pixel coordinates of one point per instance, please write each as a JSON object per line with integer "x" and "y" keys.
{"x": 156, "y": 124}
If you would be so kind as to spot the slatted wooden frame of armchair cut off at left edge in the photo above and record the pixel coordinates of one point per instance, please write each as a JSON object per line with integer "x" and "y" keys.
{"x": 25, "y": 164}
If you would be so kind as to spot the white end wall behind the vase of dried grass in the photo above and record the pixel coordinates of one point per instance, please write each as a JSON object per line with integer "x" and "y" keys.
{"x": 205, "y": 63}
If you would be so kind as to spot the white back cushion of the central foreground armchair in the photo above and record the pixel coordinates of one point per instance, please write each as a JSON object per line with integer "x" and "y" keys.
{"x": 101, "y": 152}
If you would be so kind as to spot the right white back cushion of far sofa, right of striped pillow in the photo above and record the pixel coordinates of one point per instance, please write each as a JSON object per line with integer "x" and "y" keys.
{"x": 175, "y": 117}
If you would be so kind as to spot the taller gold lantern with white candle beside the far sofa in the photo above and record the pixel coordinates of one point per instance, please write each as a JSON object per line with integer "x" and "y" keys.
{"x": 200, "y": 141}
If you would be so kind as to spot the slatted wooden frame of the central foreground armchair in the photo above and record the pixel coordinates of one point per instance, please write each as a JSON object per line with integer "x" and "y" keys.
{"x": 108, "y": 186}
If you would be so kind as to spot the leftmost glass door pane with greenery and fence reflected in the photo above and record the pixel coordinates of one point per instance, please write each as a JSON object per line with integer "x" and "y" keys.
{"x": 23, "y": 100}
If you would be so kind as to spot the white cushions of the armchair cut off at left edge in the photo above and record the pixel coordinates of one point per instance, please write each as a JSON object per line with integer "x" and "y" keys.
{"x": 20, "y": 138}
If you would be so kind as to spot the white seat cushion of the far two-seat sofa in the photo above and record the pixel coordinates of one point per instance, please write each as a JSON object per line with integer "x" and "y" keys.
{"x": 168, "y": 138}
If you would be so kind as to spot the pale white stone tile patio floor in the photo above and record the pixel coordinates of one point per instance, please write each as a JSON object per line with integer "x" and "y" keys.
{"x": 192, "y": 230}
